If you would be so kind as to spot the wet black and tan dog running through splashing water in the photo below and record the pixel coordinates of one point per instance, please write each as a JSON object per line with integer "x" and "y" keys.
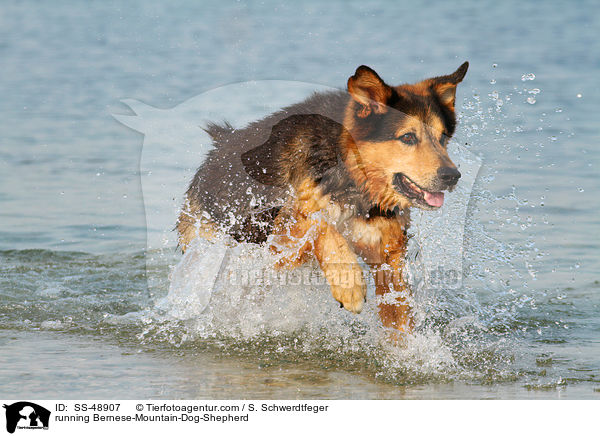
{"x": 333, "y": 177}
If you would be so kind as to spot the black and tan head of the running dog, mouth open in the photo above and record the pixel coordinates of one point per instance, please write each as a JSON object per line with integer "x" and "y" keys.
{"x": 397, "y": 138}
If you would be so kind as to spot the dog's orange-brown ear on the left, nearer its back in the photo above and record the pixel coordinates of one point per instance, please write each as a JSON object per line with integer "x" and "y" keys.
{"x": 367, "y": 89}
